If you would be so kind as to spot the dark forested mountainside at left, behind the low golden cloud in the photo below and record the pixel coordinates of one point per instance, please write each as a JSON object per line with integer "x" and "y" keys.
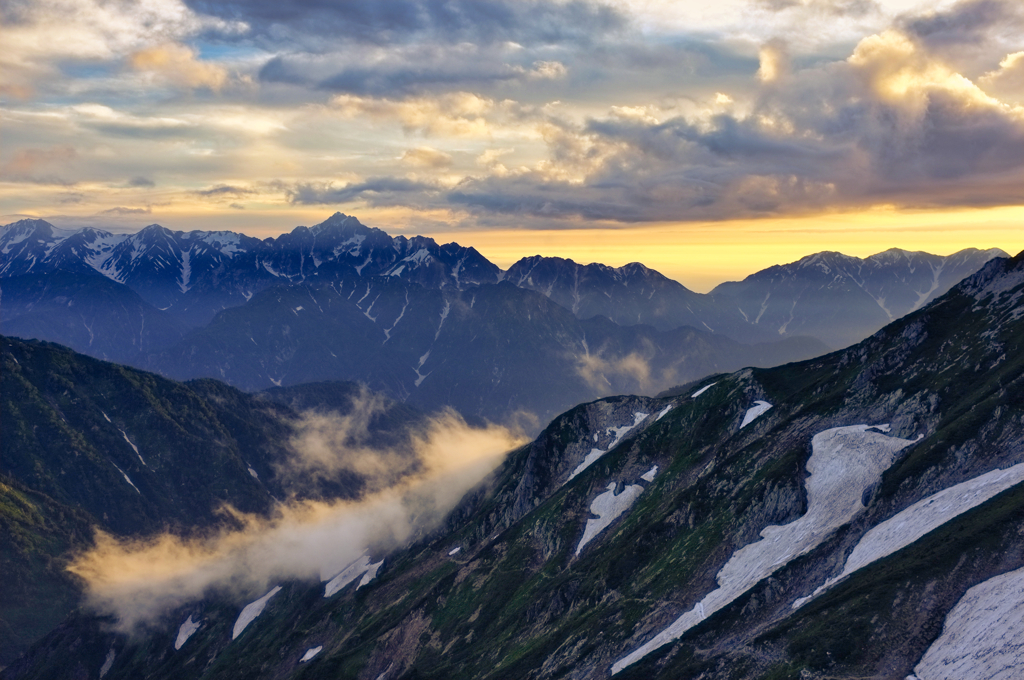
{"x": 88, "y": 444}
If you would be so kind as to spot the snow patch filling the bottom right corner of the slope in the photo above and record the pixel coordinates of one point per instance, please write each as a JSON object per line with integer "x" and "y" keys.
{"x": 984, "y": 636}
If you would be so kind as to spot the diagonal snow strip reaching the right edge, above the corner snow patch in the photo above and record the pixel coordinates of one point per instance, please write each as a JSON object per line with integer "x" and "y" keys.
{"x": 921, "y": 519}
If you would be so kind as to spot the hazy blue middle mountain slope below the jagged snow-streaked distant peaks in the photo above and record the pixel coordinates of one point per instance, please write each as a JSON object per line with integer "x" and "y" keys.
{"x": 490, "y": 352}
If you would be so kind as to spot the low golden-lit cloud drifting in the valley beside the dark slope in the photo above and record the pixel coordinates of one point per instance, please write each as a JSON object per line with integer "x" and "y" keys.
{"x": 139, "y": 581}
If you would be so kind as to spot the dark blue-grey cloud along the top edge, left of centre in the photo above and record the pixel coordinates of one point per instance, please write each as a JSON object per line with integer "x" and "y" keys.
{"x": 381, "y": 22}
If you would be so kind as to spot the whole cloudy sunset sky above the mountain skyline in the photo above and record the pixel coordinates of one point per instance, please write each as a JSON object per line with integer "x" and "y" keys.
{"x": 707, "y": 141}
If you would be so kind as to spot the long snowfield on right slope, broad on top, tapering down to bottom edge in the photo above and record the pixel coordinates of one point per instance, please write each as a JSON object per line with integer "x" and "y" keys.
{"x": 844, "y": 462}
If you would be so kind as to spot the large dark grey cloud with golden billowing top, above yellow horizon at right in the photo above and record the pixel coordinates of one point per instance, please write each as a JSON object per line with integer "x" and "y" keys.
{"x": 832, "y": 137}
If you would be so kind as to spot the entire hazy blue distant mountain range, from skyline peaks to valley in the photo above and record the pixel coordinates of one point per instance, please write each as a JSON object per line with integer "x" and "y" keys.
{"x": 435, "y": 325}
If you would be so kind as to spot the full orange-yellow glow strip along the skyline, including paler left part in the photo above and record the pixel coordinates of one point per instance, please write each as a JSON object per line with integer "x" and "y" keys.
{"x": 699, "y": 256}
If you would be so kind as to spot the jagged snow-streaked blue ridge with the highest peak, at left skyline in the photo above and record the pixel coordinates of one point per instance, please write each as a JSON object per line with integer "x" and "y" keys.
{"x": 195, "y": 275}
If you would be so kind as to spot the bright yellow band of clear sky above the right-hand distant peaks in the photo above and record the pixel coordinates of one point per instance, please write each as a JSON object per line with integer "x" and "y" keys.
{"x": 703, "y": 256}
